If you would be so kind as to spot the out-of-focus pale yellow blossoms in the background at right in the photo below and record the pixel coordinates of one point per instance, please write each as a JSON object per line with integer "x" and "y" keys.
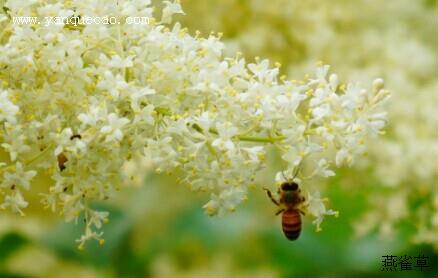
{"x": 401, "y": 46}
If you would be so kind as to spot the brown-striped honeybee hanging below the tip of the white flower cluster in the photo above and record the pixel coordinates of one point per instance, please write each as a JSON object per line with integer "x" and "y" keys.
{"x": 289, "y": 203}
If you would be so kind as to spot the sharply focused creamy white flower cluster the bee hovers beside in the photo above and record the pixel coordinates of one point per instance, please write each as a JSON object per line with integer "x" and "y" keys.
{"x": 93, "y": 107}
